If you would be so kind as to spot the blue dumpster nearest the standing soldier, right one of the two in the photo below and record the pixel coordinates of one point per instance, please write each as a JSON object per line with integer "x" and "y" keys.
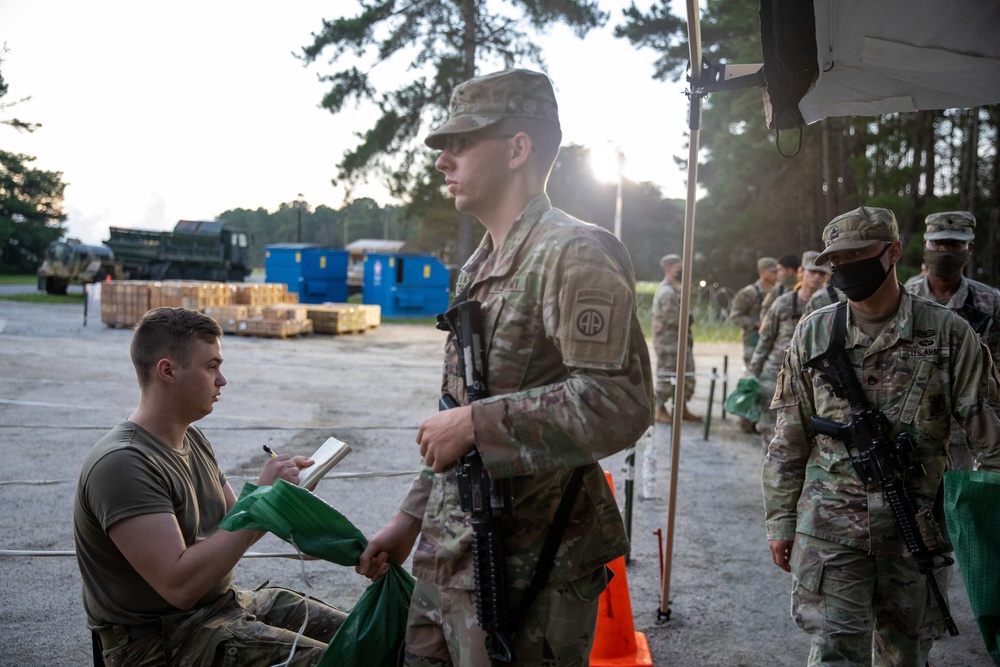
{"x": 406, "y": 285}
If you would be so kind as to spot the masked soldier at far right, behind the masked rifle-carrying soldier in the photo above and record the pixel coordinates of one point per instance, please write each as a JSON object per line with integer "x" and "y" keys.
{"x": 948, "y": 242}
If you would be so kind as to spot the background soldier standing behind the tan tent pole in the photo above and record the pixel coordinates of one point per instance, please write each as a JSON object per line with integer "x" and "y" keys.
{"x": 666, "y": 320}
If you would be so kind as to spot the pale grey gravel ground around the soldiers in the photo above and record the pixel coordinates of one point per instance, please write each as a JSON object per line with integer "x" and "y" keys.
{"x": 63, "y": 384}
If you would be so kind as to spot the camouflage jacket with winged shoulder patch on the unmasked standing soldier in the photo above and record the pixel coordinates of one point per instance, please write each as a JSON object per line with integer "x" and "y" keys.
{"x": 569, "y": 383}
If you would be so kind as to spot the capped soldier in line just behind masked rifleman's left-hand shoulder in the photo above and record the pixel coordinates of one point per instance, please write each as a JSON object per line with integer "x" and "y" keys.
{"x": 775, "y": 335}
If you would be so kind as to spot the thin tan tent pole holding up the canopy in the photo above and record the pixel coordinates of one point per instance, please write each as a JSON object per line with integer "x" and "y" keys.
{"x": 694, "y": 125}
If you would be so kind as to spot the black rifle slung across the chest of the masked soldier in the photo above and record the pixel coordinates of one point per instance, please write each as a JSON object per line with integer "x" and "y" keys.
{"x": 883, "y": 461}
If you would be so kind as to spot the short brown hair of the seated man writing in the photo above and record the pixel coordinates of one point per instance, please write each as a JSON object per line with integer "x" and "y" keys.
{"x": 168, "y": 332}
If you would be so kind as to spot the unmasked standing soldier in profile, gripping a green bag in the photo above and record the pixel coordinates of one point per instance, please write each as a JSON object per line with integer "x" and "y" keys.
{"x": 569, "y": 384}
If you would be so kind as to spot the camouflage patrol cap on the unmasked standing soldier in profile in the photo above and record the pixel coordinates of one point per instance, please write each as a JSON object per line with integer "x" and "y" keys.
{"x": 481, "y": 102}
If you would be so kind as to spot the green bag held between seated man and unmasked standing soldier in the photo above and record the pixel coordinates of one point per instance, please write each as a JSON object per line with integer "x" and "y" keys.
{"x": 374, "y": 630}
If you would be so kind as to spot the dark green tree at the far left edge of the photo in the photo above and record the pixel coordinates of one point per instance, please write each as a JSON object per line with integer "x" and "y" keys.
{"x": 31, "y": 213}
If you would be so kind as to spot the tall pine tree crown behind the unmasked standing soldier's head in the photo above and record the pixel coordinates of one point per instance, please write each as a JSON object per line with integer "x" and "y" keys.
{"x": 439, "y": 44}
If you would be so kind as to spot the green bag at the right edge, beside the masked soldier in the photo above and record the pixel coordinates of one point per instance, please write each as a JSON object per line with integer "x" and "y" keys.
{"x": 972, "y": 513}
